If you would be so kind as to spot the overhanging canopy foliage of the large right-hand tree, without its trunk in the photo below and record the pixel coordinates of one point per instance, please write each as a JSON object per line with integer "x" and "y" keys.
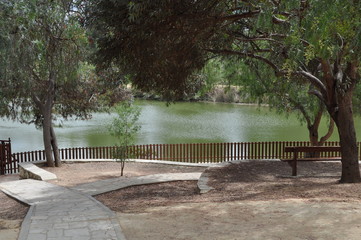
{"x": 161, "y": 44}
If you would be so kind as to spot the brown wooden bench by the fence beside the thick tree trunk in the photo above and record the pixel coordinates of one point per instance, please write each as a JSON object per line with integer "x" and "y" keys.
{"x": 309, "y": 149}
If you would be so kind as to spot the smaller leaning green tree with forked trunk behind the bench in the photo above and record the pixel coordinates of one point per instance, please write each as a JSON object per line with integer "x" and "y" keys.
{"x": 285, "y": 96}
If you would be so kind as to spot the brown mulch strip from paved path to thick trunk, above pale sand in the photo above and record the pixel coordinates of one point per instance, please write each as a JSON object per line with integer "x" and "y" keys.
{"x": 252, "y": 180}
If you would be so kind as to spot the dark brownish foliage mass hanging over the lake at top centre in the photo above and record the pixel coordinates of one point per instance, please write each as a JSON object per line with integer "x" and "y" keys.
{"x": 159, "y": 44}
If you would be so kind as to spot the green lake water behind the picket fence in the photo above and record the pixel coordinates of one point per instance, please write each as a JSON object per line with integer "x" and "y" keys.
{"x": 182, "y": 122}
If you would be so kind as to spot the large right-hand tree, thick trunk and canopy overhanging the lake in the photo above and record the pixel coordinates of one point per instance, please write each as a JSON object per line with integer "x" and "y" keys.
{"x": 161, "y": 43}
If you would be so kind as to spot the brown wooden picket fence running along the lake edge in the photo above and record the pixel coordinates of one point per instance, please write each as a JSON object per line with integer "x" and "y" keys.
{"x": 188, "y": 153}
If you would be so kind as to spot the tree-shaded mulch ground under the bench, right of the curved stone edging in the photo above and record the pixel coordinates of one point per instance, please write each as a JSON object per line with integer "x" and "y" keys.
{"x": 262, "y": 180}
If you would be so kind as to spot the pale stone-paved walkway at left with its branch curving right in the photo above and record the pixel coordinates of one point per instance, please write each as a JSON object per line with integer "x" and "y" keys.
{"x": 61, "y": 213}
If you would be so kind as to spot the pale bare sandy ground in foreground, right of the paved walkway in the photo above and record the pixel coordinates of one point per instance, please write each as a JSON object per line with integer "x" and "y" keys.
{"x": 271, "y": 220}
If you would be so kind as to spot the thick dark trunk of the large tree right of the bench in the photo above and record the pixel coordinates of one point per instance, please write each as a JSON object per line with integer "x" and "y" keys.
{"x": 346, "y": 129}
